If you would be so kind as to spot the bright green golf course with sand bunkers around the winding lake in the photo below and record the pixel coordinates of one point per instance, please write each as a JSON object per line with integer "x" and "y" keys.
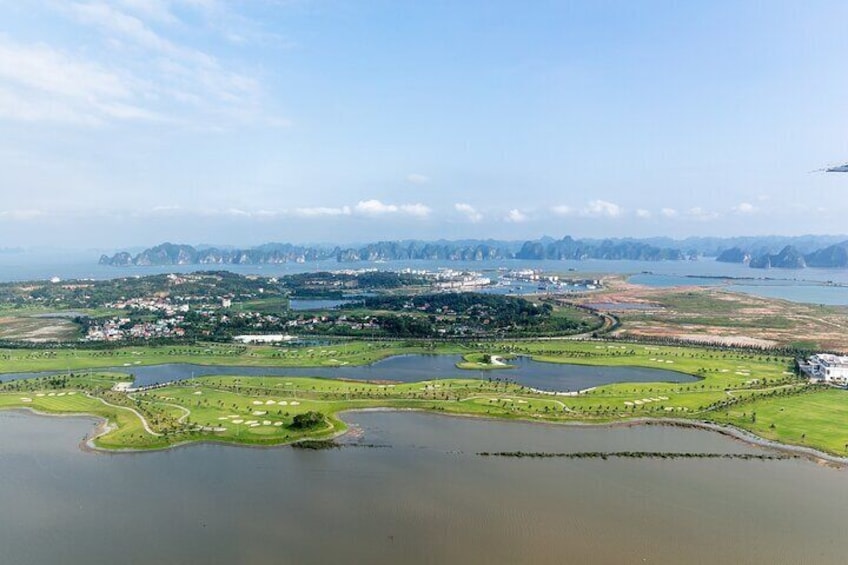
{"x": 260, "y": 410}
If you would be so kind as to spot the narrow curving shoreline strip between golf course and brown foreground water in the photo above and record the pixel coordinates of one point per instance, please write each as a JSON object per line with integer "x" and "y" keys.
{"x": 102, "y": 427}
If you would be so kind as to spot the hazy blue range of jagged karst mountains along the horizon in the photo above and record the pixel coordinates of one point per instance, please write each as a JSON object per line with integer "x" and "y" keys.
{"x": 753, "y": 250}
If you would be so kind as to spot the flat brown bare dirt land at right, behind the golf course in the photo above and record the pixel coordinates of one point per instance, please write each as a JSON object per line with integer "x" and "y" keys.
{"x": 716, "y": 316}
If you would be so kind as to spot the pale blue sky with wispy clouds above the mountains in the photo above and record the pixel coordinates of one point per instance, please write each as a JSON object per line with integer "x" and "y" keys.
{"x": 131, "y": 122}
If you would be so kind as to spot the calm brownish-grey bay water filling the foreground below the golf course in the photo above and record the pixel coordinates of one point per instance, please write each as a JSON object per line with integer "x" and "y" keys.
{"x": 424, "y": 498}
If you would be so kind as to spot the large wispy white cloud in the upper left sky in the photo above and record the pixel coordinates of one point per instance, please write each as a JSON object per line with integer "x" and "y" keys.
{"x": 142, "y": 64}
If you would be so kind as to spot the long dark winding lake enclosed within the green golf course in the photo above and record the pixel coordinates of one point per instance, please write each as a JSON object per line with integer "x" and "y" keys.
{"x": 558, "y": 377}
